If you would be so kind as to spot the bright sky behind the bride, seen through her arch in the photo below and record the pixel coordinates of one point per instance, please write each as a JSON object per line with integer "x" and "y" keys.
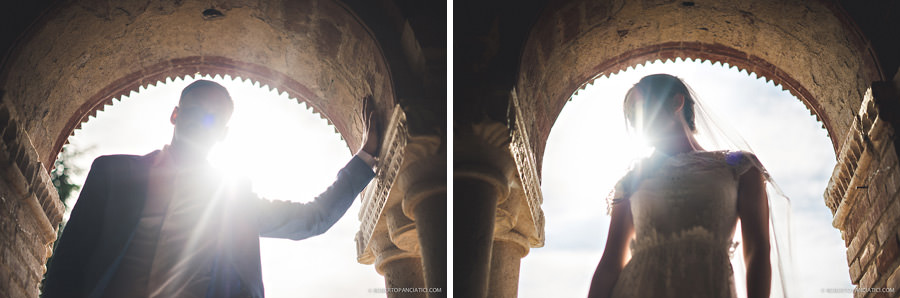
{"x": 583, "y": 160}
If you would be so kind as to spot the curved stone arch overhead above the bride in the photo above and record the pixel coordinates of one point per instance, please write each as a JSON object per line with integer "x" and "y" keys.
{"x": 573, "y": 42}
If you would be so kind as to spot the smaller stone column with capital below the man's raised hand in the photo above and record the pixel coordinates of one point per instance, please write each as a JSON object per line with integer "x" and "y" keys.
{"x": 400, "y": 268}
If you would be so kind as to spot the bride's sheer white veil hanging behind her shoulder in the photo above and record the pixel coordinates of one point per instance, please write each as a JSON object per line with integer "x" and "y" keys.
{"x": 714, "y": 134}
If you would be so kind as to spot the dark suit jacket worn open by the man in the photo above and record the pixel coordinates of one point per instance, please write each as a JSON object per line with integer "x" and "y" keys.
{"x": 111, "y": 201}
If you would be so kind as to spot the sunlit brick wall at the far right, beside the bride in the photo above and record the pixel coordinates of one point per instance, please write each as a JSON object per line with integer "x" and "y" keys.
{"x": 863, "y": 191}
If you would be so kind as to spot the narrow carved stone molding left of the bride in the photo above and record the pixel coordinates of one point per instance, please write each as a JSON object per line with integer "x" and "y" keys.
{"x": 520, "y": 147}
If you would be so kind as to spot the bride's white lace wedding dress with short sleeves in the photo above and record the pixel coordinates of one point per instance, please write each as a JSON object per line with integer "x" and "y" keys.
{"x": 684, "y": 214}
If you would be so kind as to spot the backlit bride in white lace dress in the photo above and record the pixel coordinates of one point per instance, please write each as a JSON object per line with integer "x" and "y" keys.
{"x": 678, "y": 208}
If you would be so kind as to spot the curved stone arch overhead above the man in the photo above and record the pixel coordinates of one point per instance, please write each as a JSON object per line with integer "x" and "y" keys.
{"x": 81, "y": 55}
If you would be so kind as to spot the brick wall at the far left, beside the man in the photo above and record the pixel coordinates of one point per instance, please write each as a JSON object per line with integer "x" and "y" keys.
{"x": 30, "y": 211}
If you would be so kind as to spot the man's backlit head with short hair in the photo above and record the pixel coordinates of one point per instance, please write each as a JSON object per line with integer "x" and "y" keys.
{"x": 201, "y": 118}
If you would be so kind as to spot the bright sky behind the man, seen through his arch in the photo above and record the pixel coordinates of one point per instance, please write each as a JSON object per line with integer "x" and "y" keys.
{"x": 287, "y": 151}
